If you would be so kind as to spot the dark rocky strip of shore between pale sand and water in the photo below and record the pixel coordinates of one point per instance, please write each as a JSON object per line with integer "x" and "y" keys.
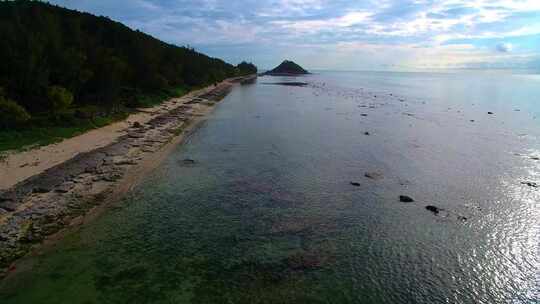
{"x": 44, "y": 204}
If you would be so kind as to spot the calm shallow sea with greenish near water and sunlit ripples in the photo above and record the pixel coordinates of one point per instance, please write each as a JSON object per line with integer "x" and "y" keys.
{"x": 268, "y": 215}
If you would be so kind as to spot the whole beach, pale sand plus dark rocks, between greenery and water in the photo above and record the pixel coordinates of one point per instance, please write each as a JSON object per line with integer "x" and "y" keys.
{"x": 46, "y": 189}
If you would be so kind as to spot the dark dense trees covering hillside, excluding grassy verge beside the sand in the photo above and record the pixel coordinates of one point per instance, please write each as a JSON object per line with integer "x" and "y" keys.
{"x": 50, "y": 53}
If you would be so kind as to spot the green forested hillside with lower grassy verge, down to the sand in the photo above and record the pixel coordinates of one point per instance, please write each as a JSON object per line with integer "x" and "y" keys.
{"x": 64, "y": 72}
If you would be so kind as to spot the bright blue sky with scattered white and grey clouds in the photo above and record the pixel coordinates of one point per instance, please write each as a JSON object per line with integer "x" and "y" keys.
{"x": 342, "y": 34}
